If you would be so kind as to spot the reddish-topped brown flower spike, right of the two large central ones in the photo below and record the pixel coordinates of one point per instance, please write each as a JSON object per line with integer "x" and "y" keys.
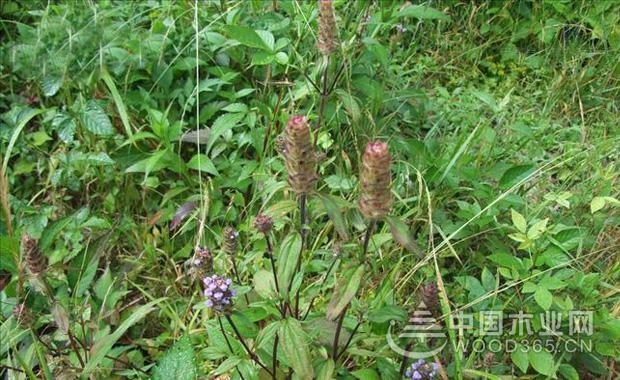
{"x": 375, "y": 199}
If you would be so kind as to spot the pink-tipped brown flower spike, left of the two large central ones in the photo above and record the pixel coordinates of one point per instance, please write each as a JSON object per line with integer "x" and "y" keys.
{"x": 300, "y": 156}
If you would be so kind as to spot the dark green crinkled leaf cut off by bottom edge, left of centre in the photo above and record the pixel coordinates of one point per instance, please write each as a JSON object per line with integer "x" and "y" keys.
{"x": 179, "y": 362}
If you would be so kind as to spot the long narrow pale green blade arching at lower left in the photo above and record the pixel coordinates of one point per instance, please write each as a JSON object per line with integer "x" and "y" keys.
{"x": 102, "y": 346}
